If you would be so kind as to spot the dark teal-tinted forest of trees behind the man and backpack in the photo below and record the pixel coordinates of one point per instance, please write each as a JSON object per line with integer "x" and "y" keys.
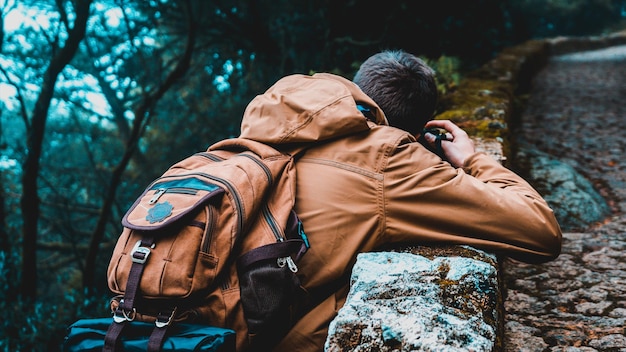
{"x": 99, "y": 97}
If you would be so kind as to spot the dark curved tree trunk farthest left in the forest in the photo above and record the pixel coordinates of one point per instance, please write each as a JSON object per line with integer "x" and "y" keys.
{"x": 30, "y": 198}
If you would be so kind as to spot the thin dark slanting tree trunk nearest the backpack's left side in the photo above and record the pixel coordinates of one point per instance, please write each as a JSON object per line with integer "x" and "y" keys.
{"x": 141, "y": 112}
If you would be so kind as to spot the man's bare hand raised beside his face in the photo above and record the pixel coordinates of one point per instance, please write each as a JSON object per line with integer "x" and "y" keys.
{"x": 457, "y": 146}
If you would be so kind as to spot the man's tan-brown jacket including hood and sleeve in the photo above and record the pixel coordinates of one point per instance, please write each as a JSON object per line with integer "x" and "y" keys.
{"x": 365, "y": 184}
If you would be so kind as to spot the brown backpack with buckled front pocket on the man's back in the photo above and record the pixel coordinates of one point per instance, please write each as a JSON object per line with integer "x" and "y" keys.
{"x": 215, "y": 241}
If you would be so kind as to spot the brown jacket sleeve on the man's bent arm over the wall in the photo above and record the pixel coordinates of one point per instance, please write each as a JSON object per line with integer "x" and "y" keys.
{"x": 484, "y": 205}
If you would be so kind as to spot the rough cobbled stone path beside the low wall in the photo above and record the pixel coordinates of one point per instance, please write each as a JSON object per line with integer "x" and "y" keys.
{"x": 576, "y": 112}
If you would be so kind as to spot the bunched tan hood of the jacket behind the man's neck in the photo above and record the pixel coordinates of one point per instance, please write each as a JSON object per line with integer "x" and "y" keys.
{"x": 301, "y": 109}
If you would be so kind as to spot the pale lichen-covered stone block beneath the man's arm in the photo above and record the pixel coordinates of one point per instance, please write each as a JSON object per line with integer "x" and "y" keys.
{"x": 408, "y": 302}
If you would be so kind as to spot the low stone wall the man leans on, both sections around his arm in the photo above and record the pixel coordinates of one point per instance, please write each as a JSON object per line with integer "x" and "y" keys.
{"x": 449, "y": 298}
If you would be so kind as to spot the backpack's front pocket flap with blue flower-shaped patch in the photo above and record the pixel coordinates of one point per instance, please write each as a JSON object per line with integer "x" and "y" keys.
{"x": 168, "y": 199}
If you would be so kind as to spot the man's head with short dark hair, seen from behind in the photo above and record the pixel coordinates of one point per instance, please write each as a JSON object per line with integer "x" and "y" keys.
{"x": 403, "y": 85}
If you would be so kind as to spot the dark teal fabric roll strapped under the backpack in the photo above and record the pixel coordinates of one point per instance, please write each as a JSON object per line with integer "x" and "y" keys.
{"x": 88, "y": 335}
